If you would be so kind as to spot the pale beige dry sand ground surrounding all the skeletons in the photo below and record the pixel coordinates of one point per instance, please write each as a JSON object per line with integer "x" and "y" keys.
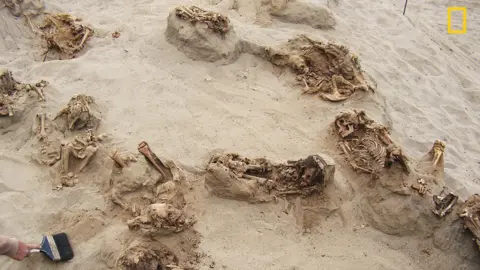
{"x": 165, "y": 86}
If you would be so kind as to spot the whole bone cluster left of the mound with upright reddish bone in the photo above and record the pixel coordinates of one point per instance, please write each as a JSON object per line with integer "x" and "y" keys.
{"x": 70, "y": 153}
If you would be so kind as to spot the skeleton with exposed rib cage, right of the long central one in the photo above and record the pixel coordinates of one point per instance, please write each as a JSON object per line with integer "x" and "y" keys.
{"x": 366, "y": 144}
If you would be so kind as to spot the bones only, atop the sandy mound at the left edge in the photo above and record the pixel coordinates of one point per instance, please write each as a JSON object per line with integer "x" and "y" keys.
{"x": 11, "y": 90}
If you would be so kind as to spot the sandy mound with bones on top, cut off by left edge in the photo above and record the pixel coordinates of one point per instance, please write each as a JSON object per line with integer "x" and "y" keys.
{"x": 15, "y": 98}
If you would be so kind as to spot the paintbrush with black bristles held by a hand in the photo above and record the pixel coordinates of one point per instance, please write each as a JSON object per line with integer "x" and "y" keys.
{"x": 57, "y": 247}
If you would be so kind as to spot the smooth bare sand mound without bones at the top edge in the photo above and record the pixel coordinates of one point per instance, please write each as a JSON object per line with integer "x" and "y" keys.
{"x": 302, "y": 13}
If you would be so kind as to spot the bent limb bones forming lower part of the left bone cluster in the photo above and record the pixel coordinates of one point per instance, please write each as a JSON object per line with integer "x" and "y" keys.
{"x": 82, "y": 148}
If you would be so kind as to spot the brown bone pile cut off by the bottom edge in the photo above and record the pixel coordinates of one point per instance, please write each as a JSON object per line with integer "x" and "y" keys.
{"x": 145, "y": 256}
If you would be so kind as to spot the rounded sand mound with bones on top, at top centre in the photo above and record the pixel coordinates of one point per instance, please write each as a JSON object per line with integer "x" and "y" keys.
{"x": 202, "y": 35}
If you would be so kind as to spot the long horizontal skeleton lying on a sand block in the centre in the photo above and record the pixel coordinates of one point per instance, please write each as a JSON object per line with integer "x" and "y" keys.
{"x": 260, "y": 180}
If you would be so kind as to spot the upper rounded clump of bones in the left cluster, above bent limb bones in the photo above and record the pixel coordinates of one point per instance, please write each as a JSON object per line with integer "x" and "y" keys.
{"x": 79, "y": 113}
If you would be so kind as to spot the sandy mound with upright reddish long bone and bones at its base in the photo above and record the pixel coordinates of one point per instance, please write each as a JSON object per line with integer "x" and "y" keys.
{"x": 151, "y": 190}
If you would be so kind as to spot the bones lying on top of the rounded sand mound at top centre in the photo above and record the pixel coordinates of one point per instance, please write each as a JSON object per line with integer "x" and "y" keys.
{"x": 216, "y": 22}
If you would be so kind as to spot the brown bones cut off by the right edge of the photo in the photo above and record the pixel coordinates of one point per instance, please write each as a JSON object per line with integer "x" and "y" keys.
{"x": 470, "y": 212}
